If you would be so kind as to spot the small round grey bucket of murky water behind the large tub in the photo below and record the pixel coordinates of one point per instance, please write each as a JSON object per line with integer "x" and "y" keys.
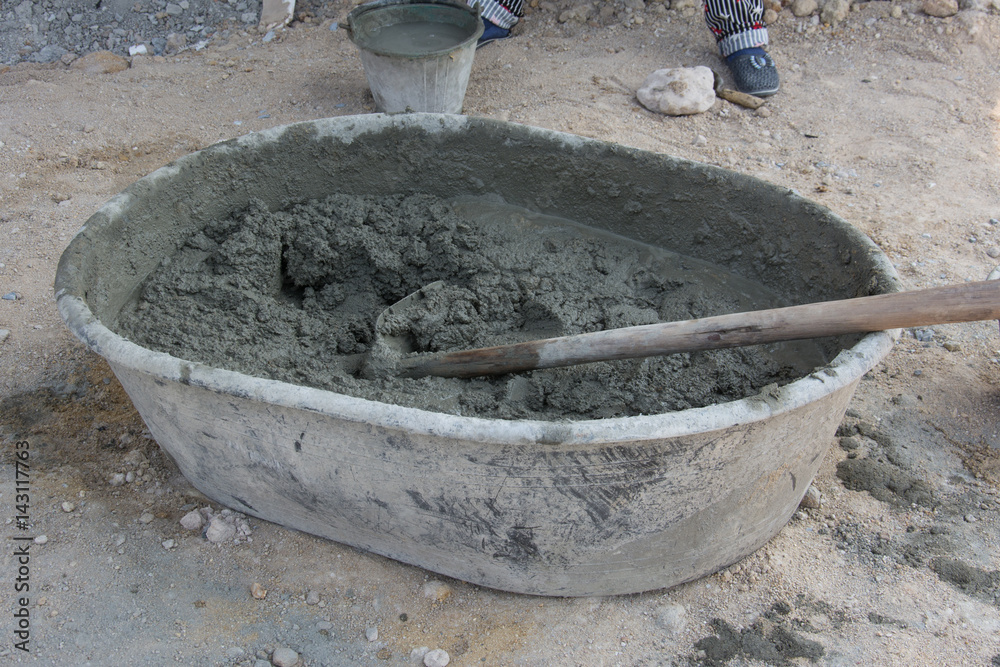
{"x": 416, "y": 77}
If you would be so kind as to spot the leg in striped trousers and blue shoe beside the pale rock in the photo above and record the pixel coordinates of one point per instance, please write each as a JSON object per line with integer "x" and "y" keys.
{"x": 740, "y": 33}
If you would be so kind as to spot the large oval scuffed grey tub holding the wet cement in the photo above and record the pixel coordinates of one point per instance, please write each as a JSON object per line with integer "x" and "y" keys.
{"x": 551, "y": 508}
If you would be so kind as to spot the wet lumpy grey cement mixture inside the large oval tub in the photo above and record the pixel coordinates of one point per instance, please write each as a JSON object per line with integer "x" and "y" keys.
{"x": 295, "y": 295}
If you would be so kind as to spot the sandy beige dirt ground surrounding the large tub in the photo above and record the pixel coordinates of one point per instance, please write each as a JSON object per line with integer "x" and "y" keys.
{"x": 891, "y": 118}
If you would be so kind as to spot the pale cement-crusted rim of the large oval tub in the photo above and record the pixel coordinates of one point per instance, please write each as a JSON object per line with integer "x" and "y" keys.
{"x": 844, "y": 370}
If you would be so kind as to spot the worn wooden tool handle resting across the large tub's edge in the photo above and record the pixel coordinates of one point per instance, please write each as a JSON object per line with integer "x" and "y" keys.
{"x": 940, "y": 305}
